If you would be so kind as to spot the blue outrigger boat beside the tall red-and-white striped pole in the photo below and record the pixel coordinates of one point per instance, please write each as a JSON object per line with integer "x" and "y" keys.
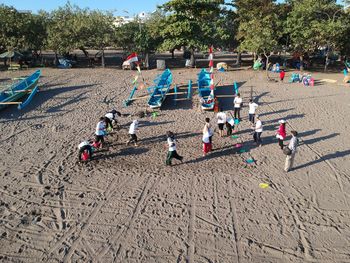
{"x": 206, "y": 95}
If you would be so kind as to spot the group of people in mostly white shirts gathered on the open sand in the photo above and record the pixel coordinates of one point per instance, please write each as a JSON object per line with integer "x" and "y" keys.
{"x": 105, "y": 125}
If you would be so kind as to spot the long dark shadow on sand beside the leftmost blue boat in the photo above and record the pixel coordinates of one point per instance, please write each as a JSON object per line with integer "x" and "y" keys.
{"x": 11, "y": 113}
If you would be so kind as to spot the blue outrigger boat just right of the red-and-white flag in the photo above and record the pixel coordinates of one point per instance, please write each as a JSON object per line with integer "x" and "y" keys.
{"x": 160, "y": 90}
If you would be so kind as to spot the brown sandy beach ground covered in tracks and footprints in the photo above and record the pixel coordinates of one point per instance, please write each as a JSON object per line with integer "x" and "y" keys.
{"x": 127, "y": 206}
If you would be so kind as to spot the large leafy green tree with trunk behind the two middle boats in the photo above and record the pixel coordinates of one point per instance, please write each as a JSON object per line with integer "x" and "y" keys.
{"x": 190, "y": 23}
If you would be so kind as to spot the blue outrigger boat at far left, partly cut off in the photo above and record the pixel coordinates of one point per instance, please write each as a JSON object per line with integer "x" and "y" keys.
{"x": 25, "y": 87}
